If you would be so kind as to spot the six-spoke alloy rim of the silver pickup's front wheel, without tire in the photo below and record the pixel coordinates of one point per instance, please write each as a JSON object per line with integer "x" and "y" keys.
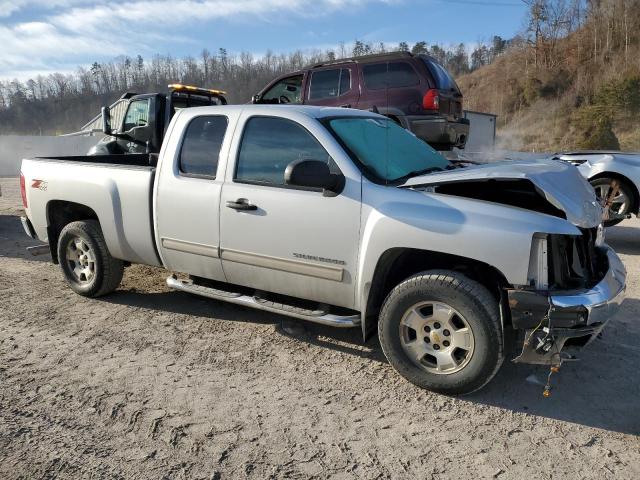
{"x": 436, "y": 337}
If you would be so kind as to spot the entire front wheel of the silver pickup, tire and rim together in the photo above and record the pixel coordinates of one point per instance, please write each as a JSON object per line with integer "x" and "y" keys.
{"x": 442, "y": 331}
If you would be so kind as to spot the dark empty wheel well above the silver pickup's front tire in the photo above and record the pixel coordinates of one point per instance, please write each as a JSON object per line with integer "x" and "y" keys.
{"x": 398, "y": 264}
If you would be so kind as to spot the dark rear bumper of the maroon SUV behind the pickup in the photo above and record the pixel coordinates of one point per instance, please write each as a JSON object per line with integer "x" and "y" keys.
{"x": 435, "y": 129}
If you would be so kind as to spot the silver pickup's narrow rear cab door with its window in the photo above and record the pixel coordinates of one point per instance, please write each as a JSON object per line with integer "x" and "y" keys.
{"x": 187, "y": 196}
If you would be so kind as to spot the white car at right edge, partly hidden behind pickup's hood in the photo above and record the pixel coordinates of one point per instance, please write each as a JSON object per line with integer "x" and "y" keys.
{"x": 607, "y": 172}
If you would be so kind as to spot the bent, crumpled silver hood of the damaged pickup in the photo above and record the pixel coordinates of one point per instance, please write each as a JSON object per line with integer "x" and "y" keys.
{"x": 560, "y": 183}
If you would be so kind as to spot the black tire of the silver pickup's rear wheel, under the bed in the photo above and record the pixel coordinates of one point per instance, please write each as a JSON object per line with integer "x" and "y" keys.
{"x": 107, "y": 271}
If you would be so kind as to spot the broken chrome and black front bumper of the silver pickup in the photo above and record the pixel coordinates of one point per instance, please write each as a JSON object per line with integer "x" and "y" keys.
{"x": 556, "y": 322}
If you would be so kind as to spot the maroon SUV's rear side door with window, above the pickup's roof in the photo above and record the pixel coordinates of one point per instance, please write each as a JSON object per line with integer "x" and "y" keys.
{"x": 335, "y": 86}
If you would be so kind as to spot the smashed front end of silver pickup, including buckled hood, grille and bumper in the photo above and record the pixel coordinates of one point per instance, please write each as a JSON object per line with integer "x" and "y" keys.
{"x": 575, "y": 282}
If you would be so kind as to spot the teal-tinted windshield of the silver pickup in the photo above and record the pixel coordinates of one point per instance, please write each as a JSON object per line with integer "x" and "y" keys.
{"x": 386, "y": 150}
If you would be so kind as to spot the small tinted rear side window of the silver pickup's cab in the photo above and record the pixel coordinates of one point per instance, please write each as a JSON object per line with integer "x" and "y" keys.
{"x": 200, "y": 150}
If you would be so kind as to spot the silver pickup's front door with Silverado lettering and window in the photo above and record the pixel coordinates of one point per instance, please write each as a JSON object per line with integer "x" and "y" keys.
{"x": 284, "y": 239}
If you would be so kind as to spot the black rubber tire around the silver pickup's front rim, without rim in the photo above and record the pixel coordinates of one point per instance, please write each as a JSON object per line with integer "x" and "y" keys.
{"x": 480, "y": 311}
